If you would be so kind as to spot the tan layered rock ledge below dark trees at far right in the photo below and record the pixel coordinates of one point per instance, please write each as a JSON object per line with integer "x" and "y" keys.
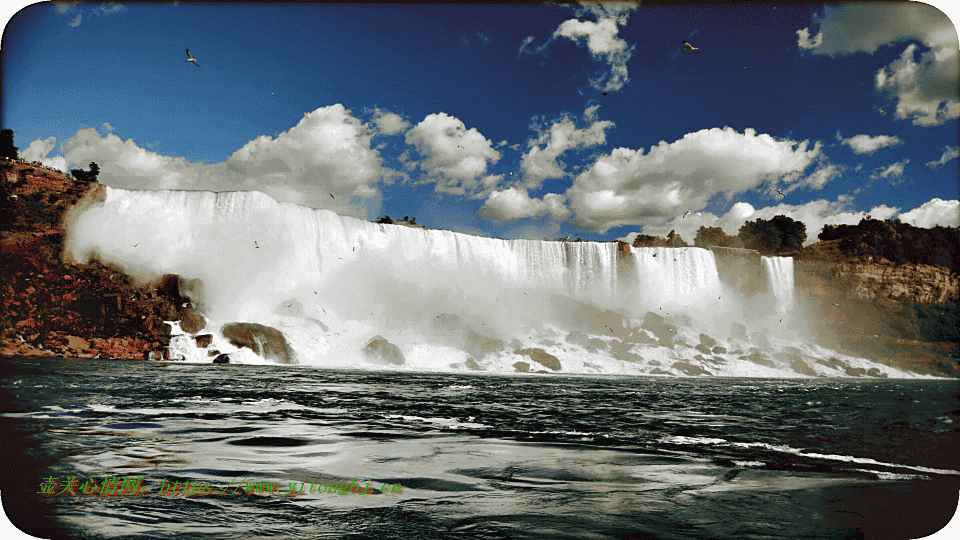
{"x": 922, "y": 284}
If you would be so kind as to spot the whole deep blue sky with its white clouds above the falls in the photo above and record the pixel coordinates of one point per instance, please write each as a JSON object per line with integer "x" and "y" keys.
{"x": 508, "y": 121}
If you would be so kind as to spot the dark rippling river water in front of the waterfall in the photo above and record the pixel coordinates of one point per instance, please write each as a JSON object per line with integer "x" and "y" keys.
{"x": 477, "y": 456}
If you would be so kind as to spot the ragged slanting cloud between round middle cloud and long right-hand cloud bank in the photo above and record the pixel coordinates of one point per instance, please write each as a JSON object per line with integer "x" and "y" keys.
{"x": 541, "y": 160}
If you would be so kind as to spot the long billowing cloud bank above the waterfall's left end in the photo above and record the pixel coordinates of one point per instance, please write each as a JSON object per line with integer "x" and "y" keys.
{"x": 325, "y": 161}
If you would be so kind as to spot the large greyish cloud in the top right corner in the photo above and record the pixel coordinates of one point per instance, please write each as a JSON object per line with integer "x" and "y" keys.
{"x": 924, "y": 90}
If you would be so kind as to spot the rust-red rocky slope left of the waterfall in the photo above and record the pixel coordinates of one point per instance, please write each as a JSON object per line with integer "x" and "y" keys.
{"x": 52, "y": 307}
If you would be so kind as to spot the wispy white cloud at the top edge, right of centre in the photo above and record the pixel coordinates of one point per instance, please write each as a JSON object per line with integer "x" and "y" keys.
{"x": 601, "y": 40}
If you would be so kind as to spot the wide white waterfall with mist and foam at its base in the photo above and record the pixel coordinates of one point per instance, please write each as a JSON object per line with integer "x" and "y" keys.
{"x": 331, "y": 284}
